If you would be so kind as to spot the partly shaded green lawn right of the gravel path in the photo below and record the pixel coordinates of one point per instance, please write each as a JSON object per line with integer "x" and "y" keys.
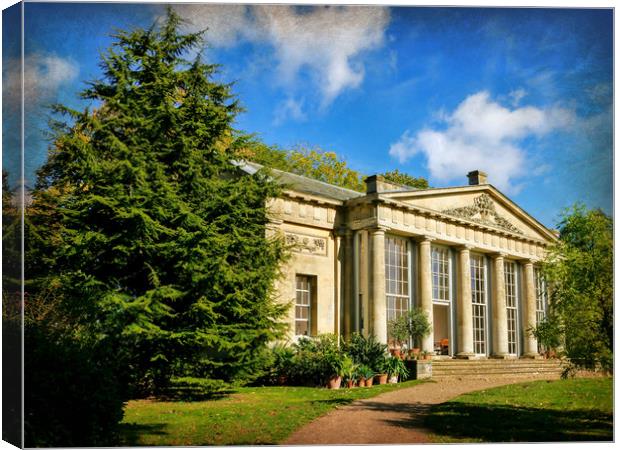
{"x": 540, "y": 411}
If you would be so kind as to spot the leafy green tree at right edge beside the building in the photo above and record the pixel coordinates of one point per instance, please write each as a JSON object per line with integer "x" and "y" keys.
{"x": 579, "y": 270}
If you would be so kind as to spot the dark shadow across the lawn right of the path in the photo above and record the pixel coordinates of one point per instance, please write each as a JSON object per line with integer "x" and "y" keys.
{"x": 496, "y": 423}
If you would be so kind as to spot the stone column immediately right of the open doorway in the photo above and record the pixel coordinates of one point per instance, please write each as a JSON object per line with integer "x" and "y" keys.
{"x": 464, "y": 308}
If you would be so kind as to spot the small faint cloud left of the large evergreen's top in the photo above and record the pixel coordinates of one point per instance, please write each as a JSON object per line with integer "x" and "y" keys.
{"x": 43, "y": 76}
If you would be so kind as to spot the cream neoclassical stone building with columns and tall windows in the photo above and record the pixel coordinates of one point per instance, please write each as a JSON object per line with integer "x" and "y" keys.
{"x": 466, "y": 255}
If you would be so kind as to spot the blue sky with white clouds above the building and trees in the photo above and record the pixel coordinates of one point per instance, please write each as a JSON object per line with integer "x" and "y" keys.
{"x": 525, "y": 95}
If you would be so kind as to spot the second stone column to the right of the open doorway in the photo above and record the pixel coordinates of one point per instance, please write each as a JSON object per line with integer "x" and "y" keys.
{"x": 499, "y": 322}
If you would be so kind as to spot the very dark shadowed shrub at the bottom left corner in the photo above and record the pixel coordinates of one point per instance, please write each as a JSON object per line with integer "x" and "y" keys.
{"x": 73, "y": 395}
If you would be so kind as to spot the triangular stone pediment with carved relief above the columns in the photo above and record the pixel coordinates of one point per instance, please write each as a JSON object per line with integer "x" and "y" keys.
{"x": 482, "y": 204}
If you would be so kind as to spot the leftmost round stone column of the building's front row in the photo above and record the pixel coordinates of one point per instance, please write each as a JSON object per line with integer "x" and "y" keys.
{"x": 377, "y": 300}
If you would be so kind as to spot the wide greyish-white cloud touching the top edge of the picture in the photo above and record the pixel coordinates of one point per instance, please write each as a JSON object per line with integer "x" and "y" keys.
{"x": 328, "y": 41}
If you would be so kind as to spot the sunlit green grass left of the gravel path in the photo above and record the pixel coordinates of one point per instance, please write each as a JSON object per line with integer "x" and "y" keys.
{"x": 252, "y": 415}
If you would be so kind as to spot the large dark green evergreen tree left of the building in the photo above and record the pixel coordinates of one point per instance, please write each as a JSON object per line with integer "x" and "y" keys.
{"x": 142, "y": 224}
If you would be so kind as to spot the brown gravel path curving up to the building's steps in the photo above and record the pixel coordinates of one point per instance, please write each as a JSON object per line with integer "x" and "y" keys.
{"x": 392, "y": 418}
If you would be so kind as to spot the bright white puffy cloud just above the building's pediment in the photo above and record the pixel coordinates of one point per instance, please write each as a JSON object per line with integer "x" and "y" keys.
{"x": 482, "y": 134}
